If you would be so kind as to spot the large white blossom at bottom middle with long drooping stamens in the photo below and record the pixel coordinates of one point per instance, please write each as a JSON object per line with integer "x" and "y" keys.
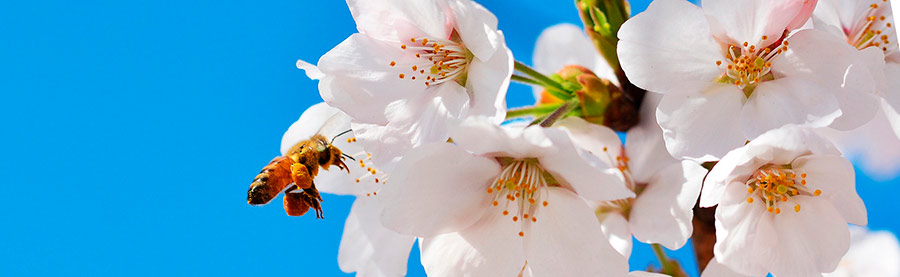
{"x": 502, "y": 196}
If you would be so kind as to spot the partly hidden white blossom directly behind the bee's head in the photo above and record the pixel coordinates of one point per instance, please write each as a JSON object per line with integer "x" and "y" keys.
{"x": 367, "y": 247}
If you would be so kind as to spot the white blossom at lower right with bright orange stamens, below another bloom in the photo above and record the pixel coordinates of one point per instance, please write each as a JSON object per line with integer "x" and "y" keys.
{"x": 784, "y": 201}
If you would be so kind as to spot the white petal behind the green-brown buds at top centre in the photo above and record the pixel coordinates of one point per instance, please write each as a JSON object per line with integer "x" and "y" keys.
{"x": 579, "y": 51}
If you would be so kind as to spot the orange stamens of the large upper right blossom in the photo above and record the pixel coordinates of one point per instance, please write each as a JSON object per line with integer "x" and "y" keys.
{"x": 746, "y": 65}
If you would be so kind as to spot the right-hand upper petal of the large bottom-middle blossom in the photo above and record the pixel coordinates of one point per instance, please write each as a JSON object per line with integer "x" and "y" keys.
{"x": 587, "y": 175}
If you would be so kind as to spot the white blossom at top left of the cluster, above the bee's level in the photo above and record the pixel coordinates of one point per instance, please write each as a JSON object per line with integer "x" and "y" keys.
{"x": 414, "y": 67}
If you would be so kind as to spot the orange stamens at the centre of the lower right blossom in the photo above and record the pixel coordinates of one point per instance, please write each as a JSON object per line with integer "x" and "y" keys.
{"x": 775, "y": 185}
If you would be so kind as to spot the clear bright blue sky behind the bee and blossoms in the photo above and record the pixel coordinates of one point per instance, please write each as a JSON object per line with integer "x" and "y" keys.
{"x": 133, "y": 128}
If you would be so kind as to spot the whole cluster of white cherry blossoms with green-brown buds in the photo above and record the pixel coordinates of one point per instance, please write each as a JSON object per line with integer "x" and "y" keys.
{"x": 744, "y": 106}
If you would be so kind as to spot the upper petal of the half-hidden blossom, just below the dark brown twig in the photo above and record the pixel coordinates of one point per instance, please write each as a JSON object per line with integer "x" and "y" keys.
{"x": 646, "y": 148}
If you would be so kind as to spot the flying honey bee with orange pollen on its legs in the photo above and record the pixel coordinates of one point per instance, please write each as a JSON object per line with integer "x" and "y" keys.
{"x": 294, "y": 172}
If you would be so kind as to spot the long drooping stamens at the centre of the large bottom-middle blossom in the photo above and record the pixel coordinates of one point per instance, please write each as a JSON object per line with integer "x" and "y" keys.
{"x": 520, "y": 185}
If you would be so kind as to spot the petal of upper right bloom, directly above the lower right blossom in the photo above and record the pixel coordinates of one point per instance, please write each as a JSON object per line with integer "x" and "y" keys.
{"x": 789, "y": 100}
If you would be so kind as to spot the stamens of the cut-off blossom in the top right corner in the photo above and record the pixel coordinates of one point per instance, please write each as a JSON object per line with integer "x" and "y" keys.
{"x": 871, "y": 29}
